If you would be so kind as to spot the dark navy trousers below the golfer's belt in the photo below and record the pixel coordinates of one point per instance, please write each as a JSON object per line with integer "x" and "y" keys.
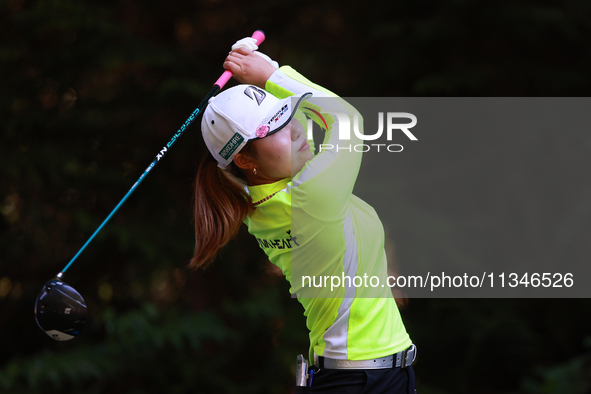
{"x": 366, "y": 381}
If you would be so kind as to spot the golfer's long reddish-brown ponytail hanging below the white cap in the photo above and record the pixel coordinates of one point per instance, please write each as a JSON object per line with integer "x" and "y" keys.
{"x": 221, "y": 204}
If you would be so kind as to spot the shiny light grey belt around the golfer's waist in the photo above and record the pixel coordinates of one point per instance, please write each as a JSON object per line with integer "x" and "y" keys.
{"x": 402, "y": 359}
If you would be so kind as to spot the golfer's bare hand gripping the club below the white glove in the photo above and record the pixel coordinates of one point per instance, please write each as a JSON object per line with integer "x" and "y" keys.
{"x": 248, "y": 67}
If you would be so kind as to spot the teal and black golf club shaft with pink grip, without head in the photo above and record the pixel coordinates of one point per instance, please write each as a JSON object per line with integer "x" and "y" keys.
{"x": 218, "y": 85}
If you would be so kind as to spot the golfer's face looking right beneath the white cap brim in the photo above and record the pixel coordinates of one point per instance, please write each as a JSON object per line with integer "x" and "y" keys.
{"x": 283, "y": 154}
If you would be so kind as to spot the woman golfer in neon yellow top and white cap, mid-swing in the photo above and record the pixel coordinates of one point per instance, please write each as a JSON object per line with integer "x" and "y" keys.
{"x": 299, "y": 205}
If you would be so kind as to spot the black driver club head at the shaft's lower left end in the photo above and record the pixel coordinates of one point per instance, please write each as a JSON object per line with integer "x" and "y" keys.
{"x": 60, "y": 311}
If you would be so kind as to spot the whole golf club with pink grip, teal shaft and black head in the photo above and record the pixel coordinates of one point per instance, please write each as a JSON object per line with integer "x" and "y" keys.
{"x": 60, "y": 311}
